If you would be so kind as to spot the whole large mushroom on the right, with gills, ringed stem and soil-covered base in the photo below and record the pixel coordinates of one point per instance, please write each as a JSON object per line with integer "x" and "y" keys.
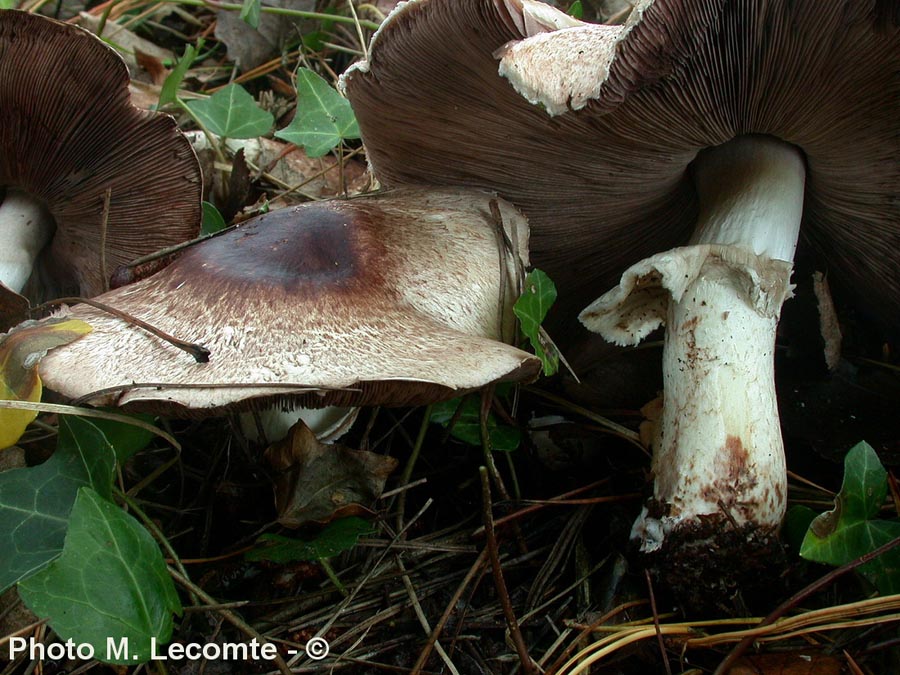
{"x": 714, "y": 131}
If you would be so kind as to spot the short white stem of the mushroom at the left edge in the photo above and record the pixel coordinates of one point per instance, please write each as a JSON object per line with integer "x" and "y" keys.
{"x": 25, "y": 228}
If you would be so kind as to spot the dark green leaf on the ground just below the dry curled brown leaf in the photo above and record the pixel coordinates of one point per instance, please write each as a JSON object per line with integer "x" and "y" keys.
{"x": 337, "y": 537}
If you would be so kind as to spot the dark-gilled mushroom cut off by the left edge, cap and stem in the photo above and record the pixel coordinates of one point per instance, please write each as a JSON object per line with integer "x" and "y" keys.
{"x": 88, "y": 182}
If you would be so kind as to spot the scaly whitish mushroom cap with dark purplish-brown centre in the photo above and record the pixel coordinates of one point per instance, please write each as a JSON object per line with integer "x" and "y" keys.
{"x": 398, "y": 298}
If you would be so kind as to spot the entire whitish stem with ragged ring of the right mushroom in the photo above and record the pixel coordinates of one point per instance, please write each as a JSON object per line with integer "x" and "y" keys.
{"x": 718, "y": 456}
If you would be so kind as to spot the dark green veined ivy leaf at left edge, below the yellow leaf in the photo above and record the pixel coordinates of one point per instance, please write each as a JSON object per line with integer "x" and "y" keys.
{"x": 35, "y": 502}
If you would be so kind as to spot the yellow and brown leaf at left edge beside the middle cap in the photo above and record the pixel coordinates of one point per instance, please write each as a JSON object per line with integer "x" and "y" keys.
{"x": 20, "y": 351}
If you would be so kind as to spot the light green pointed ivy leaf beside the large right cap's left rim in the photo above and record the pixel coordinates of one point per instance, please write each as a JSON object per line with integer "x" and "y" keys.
{"x": 323, "y": 119}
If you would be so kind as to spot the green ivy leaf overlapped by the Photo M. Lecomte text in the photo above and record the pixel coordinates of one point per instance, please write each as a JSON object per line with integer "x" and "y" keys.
{"x": 110, "y": 582}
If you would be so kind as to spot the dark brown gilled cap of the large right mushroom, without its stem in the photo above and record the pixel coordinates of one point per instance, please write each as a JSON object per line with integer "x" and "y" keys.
{"x": 608, "y": 184}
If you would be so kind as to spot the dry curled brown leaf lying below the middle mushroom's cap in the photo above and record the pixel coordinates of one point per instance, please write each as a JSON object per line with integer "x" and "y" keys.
{"x": 319, "y": 482}
